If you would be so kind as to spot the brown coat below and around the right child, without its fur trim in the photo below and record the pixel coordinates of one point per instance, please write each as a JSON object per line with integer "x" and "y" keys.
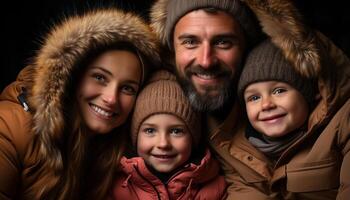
{"x": 315, "y": 167}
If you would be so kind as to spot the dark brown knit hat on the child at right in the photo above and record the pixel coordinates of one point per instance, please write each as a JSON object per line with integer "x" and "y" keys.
{"x": 267, "y": 63}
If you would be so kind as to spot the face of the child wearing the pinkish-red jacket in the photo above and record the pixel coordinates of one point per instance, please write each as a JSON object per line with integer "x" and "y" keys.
{"x": 164, "y": 142}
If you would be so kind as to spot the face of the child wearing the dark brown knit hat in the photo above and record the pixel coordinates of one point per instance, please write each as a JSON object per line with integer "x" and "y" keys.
{"x": 275, "y": 108}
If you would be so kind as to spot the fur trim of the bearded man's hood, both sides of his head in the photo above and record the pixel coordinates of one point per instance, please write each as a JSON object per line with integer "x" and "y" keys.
{"x": 280, "y": 20}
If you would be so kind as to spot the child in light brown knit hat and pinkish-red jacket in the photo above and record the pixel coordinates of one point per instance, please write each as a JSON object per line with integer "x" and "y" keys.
{"x": 171, "y": 162}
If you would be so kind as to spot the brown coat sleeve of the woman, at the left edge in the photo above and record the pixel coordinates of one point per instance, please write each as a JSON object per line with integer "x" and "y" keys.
{"x": 14, "y": 139}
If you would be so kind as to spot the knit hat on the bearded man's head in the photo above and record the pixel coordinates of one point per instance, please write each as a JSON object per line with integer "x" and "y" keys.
{"x": 178, "y": 8}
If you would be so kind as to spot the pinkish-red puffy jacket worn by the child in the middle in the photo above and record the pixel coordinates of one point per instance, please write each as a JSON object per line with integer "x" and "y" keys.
{"x": 194, "y": 181}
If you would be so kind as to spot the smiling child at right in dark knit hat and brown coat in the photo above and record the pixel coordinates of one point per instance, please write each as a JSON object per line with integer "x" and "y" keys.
{"x": 293, "y": 146}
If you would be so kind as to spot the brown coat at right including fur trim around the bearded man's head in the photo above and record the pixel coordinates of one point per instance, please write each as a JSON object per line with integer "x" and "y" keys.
{"x": 316, "y": 166}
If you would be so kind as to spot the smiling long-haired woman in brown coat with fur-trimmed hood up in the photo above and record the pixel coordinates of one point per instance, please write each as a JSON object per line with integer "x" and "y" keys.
{"x": 79, "y": 89}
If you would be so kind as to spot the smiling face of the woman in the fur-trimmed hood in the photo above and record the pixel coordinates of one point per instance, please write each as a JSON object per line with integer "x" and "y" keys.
{"x": 107, "y": 92}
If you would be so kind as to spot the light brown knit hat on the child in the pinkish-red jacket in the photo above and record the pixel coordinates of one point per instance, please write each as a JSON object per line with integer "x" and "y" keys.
{"x": 163, "y": 95}
